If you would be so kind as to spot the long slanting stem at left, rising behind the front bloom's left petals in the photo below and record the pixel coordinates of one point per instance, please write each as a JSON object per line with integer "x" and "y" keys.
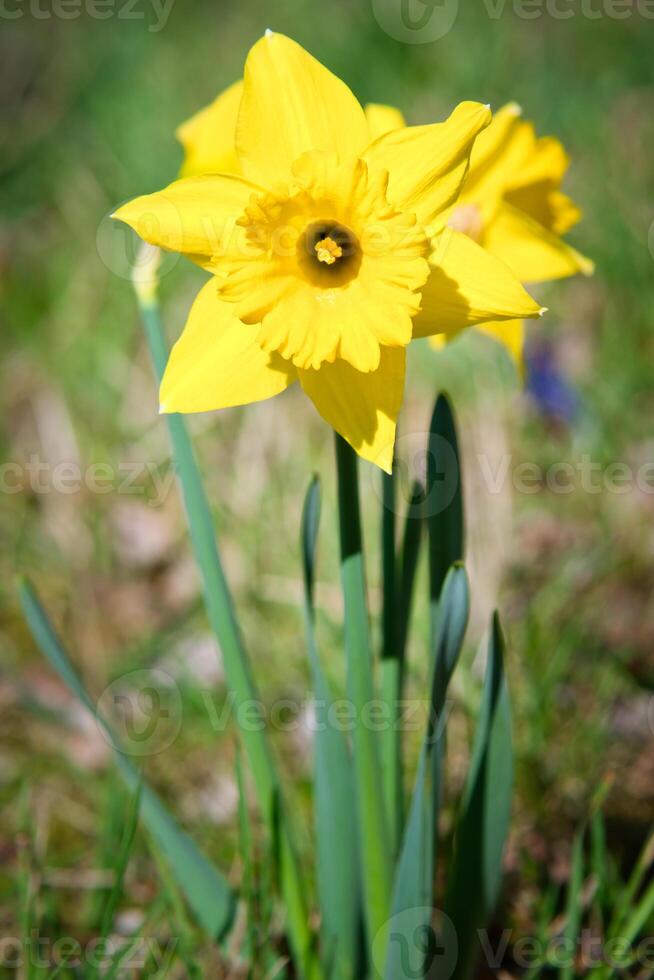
{"x": 223, "y": 621}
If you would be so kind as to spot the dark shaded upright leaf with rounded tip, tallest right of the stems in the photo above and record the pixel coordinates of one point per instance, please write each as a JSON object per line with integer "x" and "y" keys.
{"x": 444, "y": 496}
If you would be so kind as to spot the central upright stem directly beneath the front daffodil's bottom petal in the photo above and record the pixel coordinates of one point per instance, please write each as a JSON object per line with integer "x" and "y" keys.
{"x": 376, "y": 858}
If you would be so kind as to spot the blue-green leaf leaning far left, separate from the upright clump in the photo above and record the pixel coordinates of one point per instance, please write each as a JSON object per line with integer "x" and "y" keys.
{"x": 206, "y": 890}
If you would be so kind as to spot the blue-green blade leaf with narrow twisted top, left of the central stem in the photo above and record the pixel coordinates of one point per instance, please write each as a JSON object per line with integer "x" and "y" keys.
{"x": 339, "y": 886}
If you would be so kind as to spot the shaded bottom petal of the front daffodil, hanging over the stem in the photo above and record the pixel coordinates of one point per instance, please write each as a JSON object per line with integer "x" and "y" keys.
{"x": 363, "y": 408}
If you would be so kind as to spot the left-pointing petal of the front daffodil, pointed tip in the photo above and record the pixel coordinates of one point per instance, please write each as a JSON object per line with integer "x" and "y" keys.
{"x": 196, "y": 215}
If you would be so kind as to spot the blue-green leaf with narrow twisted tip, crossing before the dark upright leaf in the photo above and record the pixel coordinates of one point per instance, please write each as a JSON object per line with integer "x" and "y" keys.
{"x": 413, "y": 886}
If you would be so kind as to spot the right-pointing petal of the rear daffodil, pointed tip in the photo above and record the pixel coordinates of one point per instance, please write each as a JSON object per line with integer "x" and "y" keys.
{"x": 532, "y": 252}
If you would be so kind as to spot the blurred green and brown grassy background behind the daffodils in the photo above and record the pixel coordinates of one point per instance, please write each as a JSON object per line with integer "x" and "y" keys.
{"x": 89, "y": 111}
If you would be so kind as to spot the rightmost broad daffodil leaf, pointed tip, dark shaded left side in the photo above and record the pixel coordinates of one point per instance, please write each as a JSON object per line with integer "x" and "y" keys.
{"x": 476, "y": 873}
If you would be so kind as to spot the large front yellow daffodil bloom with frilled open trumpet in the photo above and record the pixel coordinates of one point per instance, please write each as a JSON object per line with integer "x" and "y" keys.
{"x": 327, "y": 237}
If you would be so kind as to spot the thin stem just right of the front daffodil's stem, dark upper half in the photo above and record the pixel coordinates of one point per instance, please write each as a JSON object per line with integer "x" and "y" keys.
{"x": 391, "y": 667}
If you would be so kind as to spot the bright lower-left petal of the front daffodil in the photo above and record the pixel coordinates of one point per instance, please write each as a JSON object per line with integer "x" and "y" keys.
{"x": 217, "y": 363}
